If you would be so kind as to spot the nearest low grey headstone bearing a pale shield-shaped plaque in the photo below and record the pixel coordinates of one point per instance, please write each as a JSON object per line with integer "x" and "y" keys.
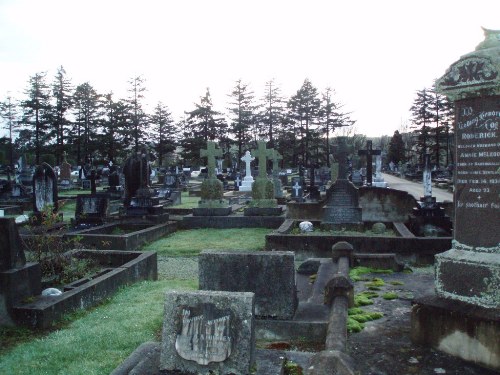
{"x": 208, "y": 332}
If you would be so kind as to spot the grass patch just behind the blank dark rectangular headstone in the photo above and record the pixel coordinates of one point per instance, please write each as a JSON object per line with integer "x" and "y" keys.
{"x": 192, "y": 242}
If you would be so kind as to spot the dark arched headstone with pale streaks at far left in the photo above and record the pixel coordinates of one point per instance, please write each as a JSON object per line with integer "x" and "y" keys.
{"x": 44, "y": 189}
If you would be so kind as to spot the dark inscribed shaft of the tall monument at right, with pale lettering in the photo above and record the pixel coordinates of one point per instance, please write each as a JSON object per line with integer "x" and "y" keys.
{"x": 478, "y": 171}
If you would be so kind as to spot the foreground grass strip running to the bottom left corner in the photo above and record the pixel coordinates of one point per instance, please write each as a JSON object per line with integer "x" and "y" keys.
{"x": 95, "y": 341}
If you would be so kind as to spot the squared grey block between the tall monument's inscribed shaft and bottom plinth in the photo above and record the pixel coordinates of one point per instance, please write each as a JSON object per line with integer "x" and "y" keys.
{"x": 469, "y": 276}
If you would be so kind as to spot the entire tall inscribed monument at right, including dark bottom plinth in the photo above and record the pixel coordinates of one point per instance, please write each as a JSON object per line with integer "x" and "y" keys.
{"x": 464, "y": 318}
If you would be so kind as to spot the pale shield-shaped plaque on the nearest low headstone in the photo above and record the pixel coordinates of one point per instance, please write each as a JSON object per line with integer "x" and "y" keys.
{"x": 204, "y": 336}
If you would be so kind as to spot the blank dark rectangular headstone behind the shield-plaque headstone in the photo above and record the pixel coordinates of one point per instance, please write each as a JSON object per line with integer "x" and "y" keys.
{"x": 268, "y": 274}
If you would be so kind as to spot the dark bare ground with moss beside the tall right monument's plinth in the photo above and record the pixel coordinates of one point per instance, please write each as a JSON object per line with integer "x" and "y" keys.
{"x": 384, "y": 346}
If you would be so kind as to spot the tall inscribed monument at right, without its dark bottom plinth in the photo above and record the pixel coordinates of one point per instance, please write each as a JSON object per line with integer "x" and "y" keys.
{"x": 473, "y": 83}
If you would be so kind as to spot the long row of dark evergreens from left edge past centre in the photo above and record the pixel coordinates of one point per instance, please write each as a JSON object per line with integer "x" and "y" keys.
{"x": 58, "y": 117}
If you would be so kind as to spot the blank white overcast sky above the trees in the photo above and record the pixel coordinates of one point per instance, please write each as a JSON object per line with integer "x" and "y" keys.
{"x": 375, "y": 54}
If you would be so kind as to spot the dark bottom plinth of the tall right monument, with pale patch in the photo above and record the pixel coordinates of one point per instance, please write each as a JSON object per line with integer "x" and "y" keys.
{"x": 460, "y": 329}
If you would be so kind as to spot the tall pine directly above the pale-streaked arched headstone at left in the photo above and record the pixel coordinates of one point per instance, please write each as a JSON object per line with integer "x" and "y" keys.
{"x": 37, "y": 112}
